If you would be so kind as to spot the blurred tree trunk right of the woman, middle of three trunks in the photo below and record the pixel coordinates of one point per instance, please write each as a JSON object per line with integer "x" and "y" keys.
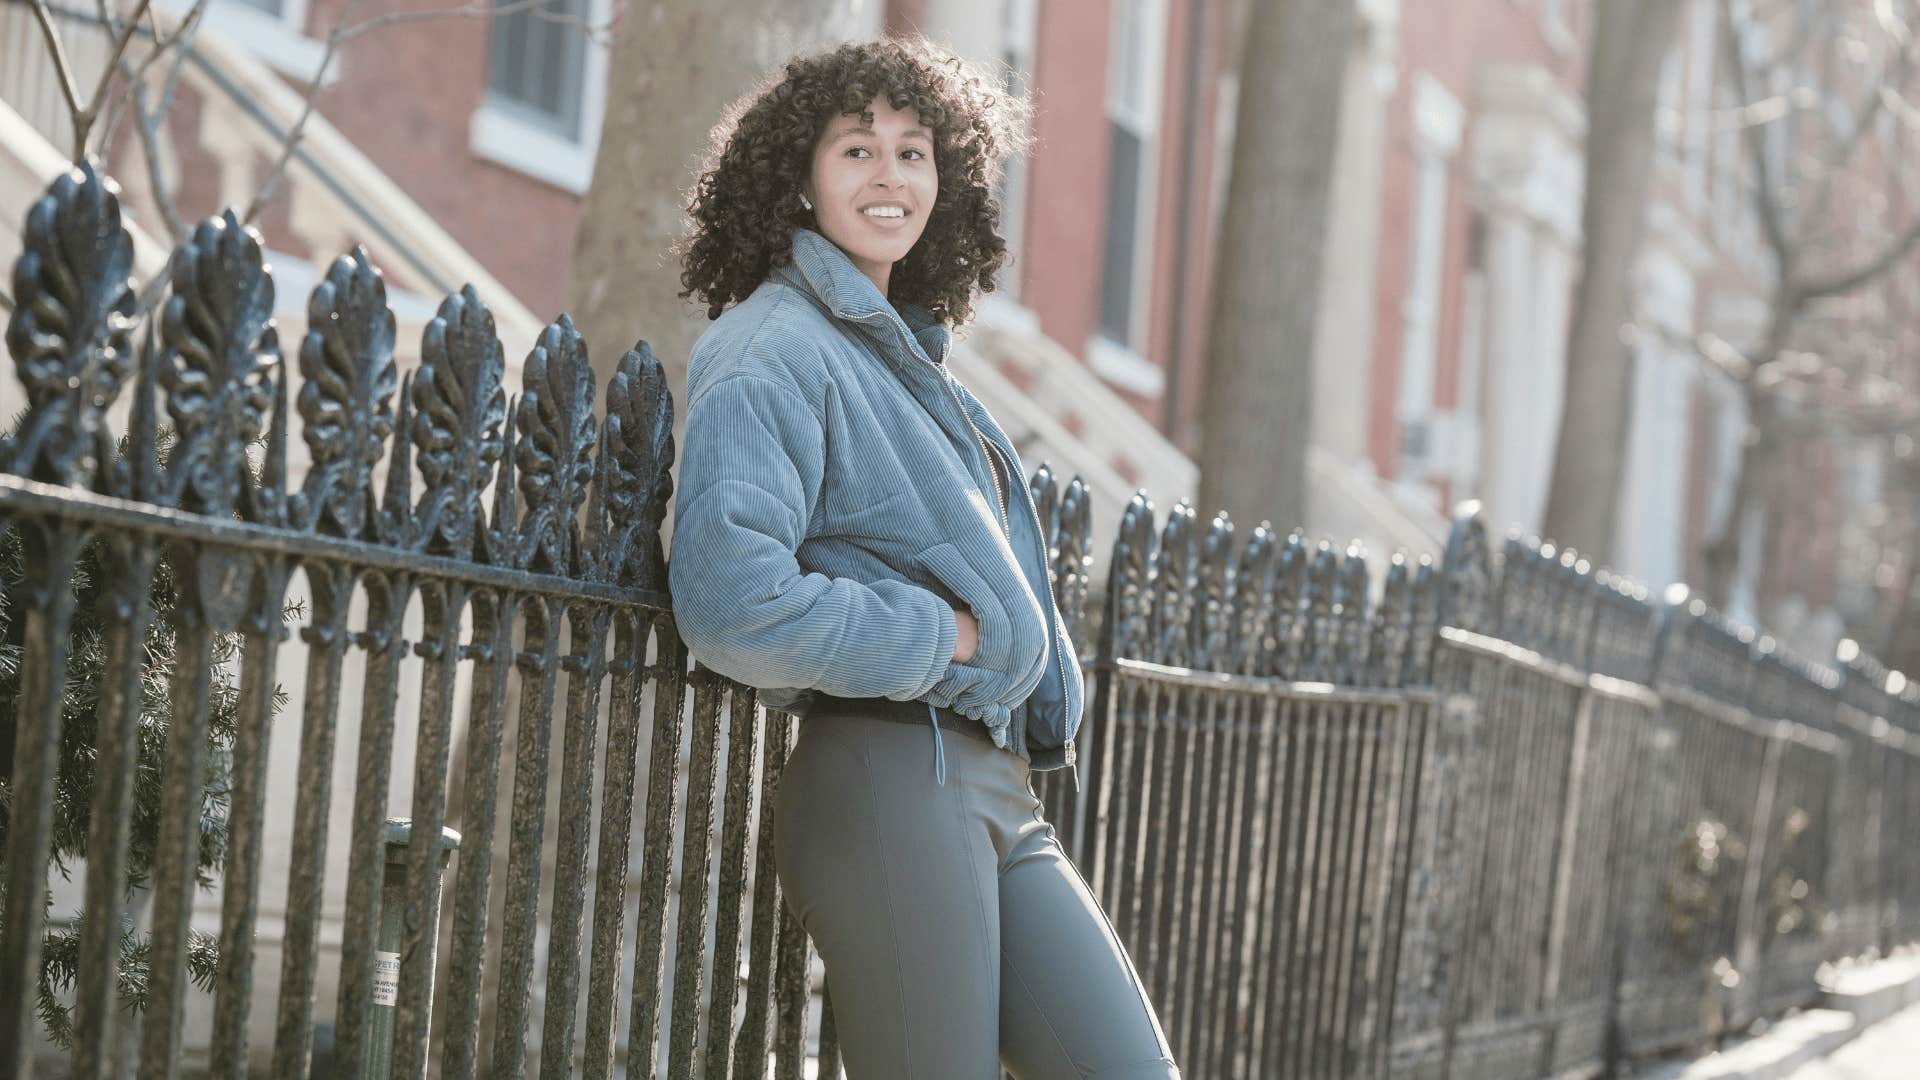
{"x": 1272, "y": 255}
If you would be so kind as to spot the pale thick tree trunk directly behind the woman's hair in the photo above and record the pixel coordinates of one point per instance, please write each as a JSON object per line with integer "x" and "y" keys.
{"x": 673, "y": 72}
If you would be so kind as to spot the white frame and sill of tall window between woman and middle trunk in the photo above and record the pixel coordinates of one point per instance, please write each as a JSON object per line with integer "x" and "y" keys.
{"x": 1122, "y": 362}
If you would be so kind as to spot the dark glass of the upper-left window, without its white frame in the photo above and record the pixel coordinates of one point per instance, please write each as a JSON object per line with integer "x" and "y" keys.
{"x": 537, "y": 61}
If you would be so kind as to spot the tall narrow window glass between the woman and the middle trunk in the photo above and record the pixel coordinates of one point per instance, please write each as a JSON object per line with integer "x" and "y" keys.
{"x": 1132, "y": 112}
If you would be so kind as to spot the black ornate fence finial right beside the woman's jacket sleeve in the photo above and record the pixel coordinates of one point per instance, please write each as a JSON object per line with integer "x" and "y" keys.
{"x": 640, "y": 449}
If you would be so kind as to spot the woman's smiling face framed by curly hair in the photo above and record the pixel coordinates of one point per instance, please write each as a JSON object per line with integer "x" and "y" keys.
{"x": 873, "y": 187}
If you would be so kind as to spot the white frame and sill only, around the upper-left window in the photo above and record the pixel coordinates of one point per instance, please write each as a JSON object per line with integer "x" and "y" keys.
{"x": 506, "y": 135}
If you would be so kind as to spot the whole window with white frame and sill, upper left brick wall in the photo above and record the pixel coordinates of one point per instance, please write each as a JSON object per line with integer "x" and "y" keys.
{"x": 546, "y": 89}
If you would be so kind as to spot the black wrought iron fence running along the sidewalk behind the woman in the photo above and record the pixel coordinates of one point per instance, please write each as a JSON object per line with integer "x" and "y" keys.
{"x": 1504, "y": 816}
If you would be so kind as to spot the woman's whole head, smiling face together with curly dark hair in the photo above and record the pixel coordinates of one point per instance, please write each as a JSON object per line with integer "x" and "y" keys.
{"x": 840, "y": 126}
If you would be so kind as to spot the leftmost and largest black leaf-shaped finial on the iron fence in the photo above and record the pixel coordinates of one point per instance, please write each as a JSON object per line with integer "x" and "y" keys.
{"x": 72, "y": 328}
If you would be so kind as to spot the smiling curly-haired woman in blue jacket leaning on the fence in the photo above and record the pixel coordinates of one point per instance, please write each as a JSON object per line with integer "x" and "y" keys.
{"x": 853, "y": 537}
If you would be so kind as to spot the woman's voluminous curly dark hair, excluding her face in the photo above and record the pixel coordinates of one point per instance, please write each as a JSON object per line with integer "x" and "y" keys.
{"x": 746, "y": 205}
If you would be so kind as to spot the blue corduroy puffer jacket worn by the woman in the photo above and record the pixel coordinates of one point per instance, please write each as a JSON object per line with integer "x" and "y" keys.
{"x": 836, "y": 504}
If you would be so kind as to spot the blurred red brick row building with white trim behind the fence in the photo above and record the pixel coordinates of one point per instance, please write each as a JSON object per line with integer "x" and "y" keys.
{"x": 464, "y": 149}
